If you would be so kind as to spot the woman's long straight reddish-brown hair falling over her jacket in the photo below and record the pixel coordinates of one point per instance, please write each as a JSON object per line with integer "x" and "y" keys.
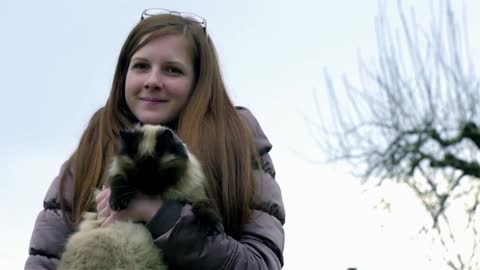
{"x": 209, "y": 125}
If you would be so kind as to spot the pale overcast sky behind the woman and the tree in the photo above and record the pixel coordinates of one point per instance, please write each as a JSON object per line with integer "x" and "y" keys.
{"x": 57, "y": 61}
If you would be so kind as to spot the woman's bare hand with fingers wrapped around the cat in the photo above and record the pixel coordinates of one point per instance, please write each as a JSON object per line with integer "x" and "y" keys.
{"x": 141, "y": 208}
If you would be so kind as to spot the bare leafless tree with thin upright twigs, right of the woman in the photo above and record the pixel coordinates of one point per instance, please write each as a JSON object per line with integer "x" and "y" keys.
{"x": 414, "y": 119}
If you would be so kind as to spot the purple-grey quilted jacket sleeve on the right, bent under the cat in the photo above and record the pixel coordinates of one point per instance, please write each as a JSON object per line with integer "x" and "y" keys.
{"x": 262, "y": 242}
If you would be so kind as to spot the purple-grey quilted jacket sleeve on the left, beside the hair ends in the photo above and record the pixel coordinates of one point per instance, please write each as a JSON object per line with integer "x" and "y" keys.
{"x": 50, "y": 231}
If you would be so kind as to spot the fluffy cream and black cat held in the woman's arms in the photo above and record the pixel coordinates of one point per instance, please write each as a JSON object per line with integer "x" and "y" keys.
{"x": 151, "y": 160}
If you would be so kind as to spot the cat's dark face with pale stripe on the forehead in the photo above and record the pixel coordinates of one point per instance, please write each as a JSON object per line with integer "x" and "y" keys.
{"x": 158, "y": 157}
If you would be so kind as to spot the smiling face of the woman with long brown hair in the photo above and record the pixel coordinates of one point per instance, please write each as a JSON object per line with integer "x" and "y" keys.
{"x": 159, "y": 80}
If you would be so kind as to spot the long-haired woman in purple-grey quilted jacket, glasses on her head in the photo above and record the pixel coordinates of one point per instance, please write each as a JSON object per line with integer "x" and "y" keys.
{"x": 168, "y": 73}
